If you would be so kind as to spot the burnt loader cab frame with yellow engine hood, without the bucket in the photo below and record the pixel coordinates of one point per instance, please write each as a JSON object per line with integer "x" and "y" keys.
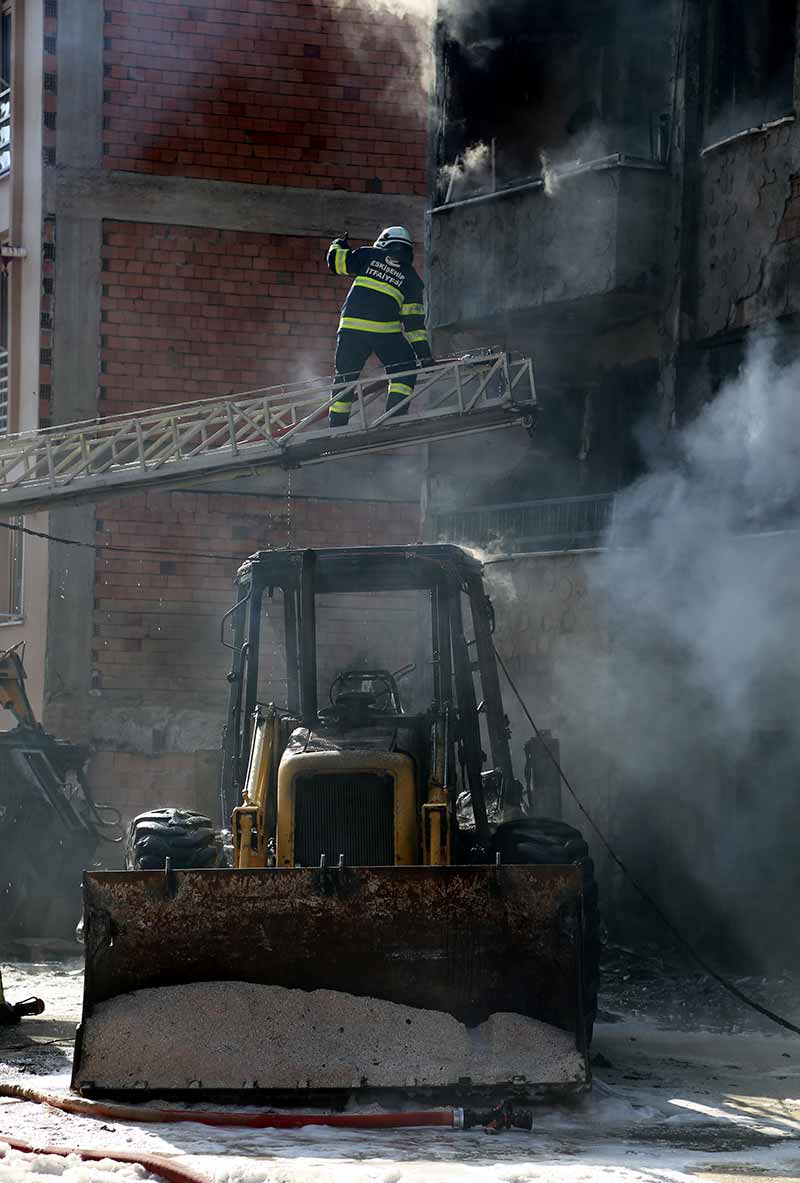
{"x": 326, "y": 755}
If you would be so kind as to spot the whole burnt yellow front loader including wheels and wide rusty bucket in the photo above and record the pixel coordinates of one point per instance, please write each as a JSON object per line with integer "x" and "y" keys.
{"x": 393, "y": 920}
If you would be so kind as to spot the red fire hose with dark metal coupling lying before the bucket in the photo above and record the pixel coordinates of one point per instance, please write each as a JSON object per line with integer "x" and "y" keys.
{"x": 502, "y": 1117}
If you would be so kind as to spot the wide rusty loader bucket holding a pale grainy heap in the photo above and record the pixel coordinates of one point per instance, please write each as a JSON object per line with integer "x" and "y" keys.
{"x": 309, "y": 986}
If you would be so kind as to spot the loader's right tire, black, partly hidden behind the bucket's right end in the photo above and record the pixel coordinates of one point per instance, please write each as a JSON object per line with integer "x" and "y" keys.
{"x": 544, "y": 842}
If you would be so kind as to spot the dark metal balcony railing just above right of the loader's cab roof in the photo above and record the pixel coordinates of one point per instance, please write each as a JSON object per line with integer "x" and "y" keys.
{"x": 566, "y": 523}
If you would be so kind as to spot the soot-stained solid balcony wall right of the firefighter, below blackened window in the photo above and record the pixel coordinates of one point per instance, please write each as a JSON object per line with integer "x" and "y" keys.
{"x": 588, "y": 245}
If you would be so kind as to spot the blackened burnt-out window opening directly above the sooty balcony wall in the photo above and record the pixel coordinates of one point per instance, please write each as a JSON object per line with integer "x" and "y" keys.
{"x": 560, "y": 83}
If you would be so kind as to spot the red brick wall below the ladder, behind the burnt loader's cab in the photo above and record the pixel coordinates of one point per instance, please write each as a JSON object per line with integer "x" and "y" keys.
{"x": 158, "y": 667}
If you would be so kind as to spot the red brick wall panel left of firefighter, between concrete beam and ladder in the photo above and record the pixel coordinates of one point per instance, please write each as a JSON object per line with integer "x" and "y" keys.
{"x": 195, "y": 314}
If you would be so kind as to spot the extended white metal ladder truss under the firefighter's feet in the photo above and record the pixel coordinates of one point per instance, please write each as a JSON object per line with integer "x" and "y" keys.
{"x": 280, "y": 426}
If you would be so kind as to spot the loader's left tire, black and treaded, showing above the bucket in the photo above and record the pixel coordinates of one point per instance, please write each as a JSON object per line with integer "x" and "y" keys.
{"x": 188, "y": 839}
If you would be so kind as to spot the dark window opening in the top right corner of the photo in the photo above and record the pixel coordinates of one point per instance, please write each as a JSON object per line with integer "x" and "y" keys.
{"x": 752, "y": 64}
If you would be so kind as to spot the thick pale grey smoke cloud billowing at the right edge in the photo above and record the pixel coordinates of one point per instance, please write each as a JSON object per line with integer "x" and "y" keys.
{"x": 692, "y": 712}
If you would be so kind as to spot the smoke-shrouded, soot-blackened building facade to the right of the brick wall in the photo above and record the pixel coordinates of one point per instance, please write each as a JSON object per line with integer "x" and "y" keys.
{"x": 618, "y": 196}
